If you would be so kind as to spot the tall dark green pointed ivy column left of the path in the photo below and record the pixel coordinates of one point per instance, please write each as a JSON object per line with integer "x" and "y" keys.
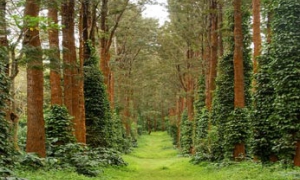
{"x": 98, "y": 115}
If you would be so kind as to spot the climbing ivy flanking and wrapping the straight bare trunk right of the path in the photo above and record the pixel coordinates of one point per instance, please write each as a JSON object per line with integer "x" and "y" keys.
{"x": 230, "y": 122}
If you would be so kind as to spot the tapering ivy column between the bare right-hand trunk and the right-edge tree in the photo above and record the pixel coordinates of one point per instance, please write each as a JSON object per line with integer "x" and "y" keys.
{"x": 263, "y": 130}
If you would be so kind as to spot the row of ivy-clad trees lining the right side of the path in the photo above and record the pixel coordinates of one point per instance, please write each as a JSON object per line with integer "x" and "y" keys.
{"x": 242, "y": 107}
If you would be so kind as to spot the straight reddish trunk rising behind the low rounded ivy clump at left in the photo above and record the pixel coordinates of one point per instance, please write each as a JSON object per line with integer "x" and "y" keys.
{"x": 55, "y": 71}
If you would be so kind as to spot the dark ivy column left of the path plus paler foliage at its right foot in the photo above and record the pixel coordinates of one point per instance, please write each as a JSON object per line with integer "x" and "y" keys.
{"x": 103, "y": 128}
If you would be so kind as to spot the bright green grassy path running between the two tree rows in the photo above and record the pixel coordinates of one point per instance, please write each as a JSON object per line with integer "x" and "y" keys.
{"x": 155, "y": 158}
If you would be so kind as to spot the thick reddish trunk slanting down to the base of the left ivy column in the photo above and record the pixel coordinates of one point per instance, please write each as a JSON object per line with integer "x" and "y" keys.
{"x": 71, "y": 71}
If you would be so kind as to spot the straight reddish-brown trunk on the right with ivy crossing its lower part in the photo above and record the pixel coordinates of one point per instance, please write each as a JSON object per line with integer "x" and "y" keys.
{"x": 239, "y": 93}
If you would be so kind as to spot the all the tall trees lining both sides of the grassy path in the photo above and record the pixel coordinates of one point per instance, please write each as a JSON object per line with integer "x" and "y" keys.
{"x": 194, "y": 74}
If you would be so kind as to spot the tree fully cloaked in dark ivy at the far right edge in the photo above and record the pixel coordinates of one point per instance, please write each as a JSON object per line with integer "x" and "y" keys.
{"x": 285, "y": 74}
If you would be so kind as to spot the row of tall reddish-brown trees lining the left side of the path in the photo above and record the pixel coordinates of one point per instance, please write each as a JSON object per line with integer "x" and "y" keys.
{"x": 60, "y": 44}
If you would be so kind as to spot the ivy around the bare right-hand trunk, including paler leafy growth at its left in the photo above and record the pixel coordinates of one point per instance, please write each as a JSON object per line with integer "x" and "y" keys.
{"x": 229, "y": 126}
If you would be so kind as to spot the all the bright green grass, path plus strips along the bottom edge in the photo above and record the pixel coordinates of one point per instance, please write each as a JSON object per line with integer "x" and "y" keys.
{"x": 156, "y": 159}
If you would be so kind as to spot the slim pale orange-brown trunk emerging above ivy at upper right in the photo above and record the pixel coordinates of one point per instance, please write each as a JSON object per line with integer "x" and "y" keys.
{"x": 256, "y": 33}
